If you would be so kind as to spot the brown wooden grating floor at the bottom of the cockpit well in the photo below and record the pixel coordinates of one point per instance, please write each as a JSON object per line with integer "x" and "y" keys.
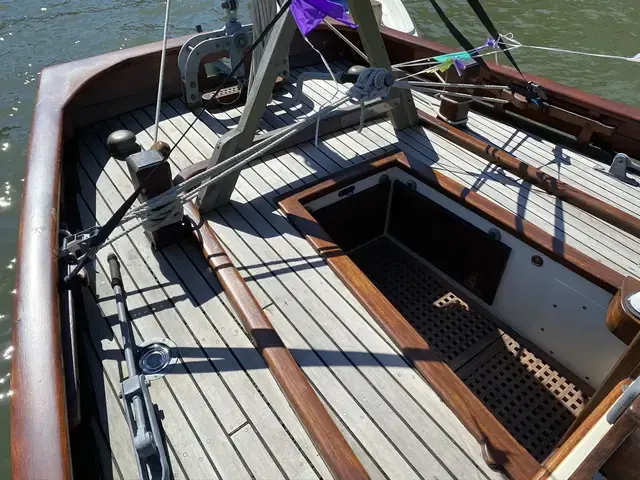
{"x": 534, "y": 402}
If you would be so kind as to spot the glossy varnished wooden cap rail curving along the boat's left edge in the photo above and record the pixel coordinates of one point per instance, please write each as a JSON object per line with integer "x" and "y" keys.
{"x": 39, "y": 429}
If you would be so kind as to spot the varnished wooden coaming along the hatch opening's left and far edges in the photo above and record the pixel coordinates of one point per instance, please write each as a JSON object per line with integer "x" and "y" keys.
{"x": 500, "y": 447}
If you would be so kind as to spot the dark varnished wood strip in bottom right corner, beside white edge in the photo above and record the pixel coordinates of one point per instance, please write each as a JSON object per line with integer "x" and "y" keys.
{"x": 618, "y": 433}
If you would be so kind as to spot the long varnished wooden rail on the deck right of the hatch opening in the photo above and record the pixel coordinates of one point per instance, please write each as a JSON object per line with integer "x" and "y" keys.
{"x": 549, "y": 184}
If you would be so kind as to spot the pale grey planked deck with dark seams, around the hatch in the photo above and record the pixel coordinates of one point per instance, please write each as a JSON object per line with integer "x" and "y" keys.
{"x": 222, "y": 412}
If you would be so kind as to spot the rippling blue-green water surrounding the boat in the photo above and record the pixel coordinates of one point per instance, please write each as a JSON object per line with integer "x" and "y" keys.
{"x": 35, "y": 34}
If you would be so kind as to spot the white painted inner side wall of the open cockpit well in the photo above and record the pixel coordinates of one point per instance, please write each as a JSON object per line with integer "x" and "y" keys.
{"x": 550, "y": 305}
